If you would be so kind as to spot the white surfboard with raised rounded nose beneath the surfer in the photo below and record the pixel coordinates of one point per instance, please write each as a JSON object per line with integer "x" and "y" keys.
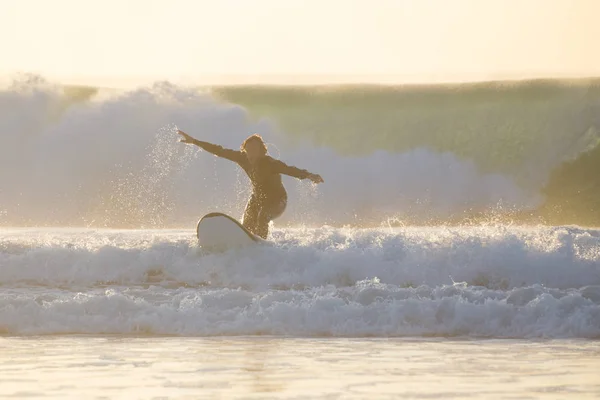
{"x": 220, "y": 232}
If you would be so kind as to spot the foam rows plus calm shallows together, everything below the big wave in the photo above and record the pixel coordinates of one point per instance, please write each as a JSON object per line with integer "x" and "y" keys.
{"x": 418, "y": 312}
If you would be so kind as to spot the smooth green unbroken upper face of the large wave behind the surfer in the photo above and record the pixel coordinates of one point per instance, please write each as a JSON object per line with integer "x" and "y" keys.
{"x": 523, "y": 129}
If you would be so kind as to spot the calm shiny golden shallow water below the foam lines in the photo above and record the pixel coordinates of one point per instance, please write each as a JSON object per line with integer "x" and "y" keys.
{"x": 113, "y": 367}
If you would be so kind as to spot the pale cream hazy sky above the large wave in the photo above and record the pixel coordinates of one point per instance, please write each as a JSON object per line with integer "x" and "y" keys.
{"x": 130, "y": 41}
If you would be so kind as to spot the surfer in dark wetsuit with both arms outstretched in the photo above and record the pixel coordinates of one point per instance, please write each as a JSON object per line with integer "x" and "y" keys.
{"x": 269, "y": 198}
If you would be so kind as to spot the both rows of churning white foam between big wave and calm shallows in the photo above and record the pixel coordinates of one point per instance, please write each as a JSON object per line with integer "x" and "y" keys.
{"x": 491, "y": 282}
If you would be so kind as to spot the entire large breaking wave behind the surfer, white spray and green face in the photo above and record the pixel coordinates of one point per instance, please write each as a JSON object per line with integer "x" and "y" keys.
{"x": 529, "y": 151}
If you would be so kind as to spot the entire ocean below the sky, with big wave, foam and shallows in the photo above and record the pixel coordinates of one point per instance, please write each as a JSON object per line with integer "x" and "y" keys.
{"x": 104, "y": 291}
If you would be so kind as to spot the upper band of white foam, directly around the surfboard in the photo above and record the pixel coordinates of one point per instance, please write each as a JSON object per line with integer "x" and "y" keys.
{"x": 495, "y": 257}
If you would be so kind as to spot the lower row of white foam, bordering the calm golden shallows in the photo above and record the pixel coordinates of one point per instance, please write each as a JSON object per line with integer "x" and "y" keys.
{"x": 367, "y": 309}
